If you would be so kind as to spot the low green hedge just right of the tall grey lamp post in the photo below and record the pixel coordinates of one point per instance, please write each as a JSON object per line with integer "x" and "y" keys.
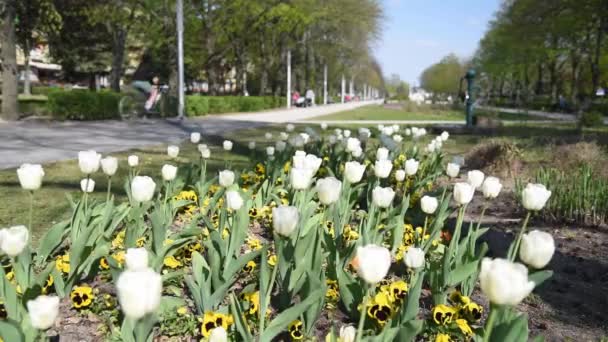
{"x": 197, "y": 105}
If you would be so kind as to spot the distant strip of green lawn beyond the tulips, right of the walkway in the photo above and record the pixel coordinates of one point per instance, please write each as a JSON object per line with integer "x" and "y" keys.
{"x": 380, "y": 112}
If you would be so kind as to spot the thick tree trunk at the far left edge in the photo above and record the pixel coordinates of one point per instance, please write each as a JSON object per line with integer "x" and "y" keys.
{"x": 9, "y": 63}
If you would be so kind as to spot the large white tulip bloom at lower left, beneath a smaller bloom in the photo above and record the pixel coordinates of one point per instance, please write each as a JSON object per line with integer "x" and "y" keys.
{"x": 139, "y": 292}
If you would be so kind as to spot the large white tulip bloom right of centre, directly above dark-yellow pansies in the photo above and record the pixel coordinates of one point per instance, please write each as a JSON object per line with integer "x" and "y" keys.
{"x": 372, "y": 263}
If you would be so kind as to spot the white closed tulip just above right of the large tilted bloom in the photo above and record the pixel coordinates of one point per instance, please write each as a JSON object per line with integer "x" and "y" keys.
{"x": 537, "y": 249}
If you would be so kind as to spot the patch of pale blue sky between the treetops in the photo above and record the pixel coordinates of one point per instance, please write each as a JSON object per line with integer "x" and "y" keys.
{"x": 419, "y": 33}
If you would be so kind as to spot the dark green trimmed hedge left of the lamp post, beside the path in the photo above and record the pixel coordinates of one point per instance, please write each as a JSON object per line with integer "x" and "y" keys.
{"x": 83, "y": 105}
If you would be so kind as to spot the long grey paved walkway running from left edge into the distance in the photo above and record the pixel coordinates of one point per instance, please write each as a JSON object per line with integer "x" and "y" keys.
{"x": 42, "y": 142}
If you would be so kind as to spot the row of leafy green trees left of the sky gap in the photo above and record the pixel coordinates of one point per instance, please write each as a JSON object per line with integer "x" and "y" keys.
{"x": 244, "y": 40}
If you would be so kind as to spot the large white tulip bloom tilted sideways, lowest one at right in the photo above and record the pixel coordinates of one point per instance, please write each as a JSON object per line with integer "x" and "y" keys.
{"x": 504, "y": 282}
